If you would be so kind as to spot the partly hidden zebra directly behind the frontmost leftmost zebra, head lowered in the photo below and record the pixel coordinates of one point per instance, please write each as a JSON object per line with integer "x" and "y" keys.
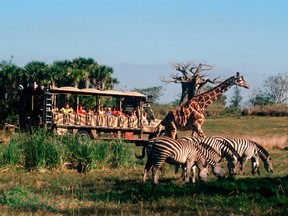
{"x": 209, "y": 154}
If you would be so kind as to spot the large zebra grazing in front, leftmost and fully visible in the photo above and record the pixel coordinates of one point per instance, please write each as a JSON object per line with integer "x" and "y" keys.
{"x": 175, "y": 152}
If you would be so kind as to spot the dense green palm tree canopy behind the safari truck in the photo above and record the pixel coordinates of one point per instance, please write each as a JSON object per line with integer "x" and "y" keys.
{"x": 79, "y": 72}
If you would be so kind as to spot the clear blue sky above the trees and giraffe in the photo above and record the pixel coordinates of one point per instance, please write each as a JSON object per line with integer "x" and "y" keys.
{"x": 142, "y": 39}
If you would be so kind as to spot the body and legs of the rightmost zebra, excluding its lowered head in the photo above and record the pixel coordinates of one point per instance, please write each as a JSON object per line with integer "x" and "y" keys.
{"x": 246, "y": 149}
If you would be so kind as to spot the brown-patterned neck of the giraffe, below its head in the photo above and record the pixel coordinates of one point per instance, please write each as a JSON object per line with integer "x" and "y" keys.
{"x": 212, "y": 95}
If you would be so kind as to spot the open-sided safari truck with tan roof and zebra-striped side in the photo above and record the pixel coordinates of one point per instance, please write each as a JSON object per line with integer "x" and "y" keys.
{"x": 40, "y": 107}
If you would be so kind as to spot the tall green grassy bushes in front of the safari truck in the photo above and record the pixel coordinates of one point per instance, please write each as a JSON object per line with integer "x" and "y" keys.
{"x": 45, "y": 150}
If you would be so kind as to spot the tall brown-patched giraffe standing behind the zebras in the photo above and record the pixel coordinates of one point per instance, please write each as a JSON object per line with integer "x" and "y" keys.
{"x": 190, "y": 116}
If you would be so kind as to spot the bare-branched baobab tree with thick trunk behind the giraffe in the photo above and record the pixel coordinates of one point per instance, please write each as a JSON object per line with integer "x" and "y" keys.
{"x": 192, "y": 80}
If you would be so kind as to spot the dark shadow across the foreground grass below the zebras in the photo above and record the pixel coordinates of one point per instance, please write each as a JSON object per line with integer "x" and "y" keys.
{"x": 228, "y": 193}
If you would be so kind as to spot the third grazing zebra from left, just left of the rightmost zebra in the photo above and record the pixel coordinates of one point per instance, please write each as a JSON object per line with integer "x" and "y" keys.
{"x": 224, "y": 149}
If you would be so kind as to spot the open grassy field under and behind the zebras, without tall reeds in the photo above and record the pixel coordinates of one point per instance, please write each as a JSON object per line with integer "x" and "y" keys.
{"x": 110, "y": 191}
